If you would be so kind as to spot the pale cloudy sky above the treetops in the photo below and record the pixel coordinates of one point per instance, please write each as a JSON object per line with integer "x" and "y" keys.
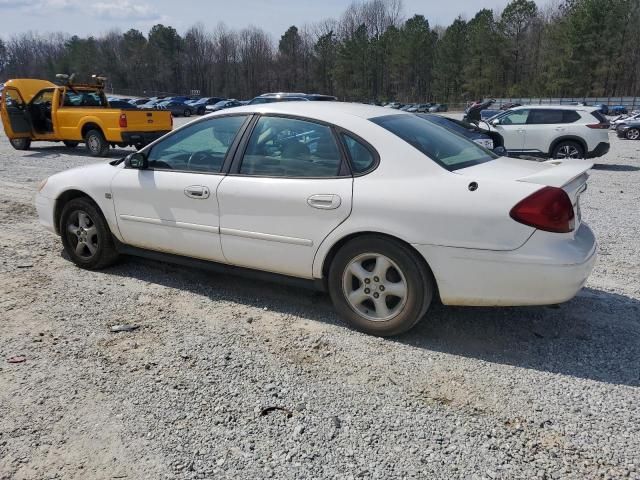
{"x": 84, "y": 17}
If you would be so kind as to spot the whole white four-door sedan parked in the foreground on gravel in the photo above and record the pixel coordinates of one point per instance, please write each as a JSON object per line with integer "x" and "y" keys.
{"x": 379, "y": 207}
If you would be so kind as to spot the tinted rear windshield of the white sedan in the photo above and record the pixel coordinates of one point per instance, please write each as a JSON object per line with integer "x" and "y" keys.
{"x": 448, "y": 149}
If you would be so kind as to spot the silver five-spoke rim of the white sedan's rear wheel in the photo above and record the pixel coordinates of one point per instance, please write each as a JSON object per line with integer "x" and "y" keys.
{"x": 374, "y": 287}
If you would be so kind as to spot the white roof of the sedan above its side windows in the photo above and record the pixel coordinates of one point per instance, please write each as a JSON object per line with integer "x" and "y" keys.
{"x": 323, "y": 111}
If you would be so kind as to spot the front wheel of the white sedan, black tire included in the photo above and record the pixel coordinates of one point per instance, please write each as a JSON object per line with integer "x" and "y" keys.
{"x": 98, "y": 249}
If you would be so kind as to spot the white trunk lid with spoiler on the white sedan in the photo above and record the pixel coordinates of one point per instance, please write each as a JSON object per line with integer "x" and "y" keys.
{"x": 569, "y": 174}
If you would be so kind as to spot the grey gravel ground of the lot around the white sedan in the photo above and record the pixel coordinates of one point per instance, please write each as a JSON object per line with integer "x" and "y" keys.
{"x": 232, "y": 378}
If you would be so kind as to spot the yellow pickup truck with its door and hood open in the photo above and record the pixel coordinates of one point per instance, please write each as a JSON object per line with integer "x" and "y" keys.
{"x": 38, "y": 110}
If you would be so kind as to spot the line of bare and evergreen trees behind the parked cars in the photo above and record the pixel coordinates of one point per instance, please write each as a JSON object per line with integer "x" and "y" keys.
{"x": 372, "y": 51}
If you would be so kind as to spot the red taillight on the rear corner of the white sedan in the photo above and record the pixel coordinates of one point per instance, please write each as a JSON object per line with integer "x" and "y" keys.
{"x": 548, "y": 209}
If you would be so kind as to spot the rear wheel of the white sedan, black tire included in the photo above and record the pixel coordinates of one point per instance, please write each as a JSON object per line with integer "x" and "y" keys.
{"x": 415, "y": 278}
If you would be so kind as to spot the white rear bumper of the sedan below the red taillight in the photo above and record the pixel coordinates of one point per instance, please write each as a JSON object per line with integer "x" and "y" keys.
{"x": 548, "y": 269}
